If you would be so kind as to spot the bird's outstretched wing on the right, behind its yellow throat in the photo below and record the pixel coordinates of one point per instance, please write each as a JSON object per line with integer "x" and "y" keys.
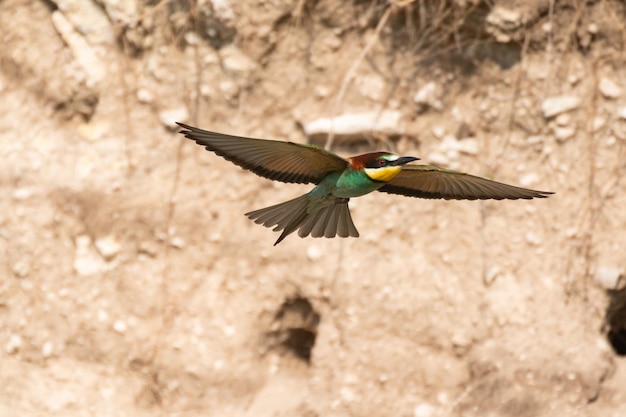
{"x": 427, "y": 181}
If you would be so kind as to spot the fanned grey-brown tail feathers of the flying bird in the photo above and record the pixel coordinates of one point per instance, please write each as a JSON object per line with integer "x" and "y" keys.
{"x": 327, "y": 221}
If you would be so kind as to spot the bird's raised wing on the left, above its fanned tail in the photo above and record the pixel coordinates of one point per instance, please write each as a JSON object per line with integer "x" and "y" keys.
{"x": 276, "y": 160}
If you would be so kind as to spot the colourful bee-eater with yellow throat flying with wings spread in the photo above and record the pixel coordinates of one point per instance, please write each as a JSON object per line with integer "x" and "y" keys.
{"x": 323, "y": 211}
